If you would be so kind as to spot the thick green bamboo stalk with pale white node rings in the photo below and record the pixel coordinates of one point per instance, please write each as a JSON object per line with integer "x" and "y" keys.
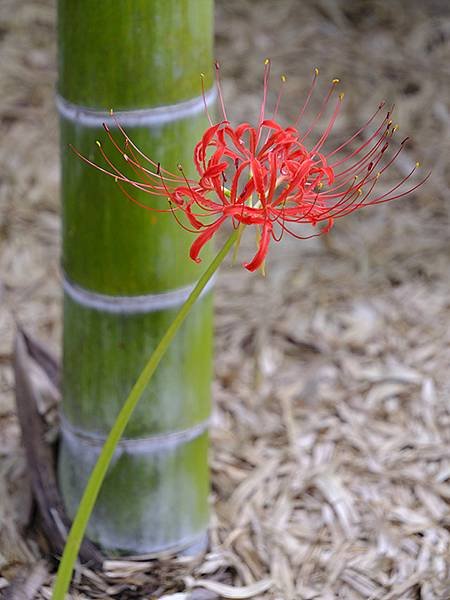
{"x": 132, "y": 55}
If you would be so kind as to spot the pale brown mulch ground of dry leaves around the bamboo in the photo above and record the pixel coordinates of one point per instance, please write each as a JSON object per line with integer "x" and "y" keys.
{"x": 331, "y": 431}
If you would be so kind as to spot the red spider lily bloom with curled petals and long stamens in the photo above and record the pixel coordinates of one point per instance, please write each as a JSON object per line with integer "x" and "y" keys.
{"x": 270, "y": 176}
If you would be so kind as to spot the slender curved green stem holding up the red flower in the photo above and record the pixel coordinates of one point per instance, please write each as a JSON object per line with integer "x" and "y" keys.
{"x": 98, "y": 474}
